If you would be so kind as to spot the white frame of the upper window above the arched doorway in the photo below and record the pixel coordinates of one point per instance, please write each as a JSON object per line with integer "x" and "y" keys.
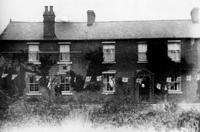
{"x": 139, "y": 53}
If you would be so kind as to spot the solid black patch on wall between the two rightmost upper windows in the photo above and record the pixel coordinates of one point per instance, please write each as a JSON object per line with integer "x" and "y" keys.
{"x": 161, "y": 65}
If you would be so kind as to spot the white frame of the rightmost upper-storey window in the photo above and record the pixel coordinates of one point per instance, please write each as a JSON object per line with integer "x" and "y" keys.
{"x": 174, "y": 42}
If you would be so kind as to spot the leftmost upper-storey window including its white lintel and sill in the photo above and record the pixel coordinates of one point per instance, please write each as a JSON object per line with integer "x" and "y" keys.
{"x": 33, "y": 52}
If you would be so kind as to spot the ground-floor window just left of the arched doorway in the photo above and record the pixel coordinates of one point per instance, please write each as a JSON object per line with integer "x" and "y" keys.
{"x": 109, "y": 82}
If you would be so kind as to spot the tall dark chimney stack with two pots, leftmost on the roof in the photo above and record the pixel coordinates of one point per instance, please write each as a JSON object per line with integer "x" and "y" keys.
{"x": 49, "y": 23}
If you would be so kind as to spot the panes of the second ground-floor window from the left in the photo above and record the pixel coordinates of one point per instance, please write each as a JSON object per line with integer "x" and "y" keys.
{"x": 65, "y": 83}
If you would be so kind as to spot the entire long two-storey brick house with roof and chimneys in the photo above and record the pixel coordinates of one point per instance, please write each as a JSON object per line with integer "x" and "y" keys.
{"x": 147, "y": 58}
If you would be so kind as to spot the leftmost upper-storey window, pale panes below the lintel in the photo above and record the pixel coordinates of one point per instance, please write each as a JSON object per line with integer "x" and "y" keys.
{"x": 33, "y": 53}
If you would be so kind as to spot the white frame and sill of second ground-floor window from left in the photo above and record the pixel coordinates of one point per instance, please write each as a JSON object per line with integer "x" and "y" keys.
{"x": 67, "y": 81}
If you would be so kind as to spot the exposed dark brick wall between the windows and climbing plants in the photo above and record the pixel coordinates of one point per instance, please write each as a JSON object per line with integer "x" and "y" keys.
{"x": 126, "y": 60}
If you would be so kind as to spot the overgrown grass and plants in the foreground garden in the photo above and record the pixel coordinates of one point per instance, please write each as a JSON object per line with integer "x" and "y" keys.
{"x": 39, "y": 115}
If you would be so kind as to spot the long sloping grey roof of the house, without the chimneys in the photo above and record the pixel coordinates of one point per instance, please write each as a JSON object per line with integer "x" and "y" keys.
{"x": 104, "y": 30}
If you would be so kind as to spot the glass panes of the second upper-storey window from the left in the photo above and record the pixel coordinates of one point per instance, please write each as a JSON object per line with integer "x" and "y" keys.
{"x": 64, "y": 53}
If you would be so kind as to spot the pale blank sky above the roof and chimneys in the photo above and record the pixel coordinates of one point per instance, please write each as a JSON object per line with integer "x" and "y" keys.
{"x": 105, "y": 10}
